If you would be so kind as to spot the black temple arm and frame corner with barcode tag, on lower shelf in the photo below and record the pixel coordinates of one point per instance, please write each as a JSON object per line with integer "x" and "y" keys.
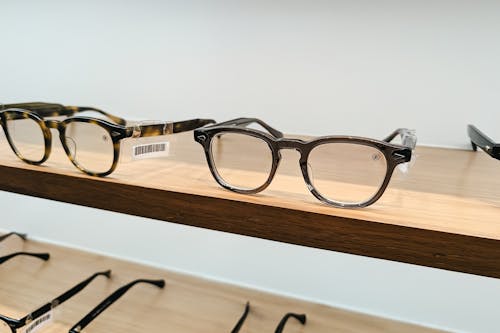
{"x": 35, "y": 318}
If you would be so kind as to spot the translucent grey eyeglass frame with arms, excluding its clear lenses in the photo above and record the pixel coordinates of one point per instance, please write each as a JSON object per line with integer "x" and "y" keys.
{"x": 394, "y": 153}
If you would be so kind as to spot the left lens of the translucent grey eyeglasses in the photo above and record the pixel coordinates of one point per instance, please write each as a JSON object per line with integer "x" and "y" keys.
{"x": 242, "y": 161}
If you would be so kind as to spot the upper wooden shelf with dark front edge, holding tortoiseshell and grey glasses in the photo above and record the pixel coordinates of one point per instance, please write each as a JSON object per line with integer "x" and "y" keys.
{"x": 445, "y": 213}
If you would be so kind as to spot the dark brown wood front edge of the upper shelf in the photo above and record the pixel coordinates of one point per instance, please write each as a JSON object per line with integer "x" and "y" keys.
{"x": 467, "y": 254}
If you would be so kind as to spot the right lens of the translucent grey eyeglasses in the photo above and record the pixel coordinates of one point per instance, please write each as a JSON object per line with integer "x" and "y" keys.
{"x": 347, "y": 173}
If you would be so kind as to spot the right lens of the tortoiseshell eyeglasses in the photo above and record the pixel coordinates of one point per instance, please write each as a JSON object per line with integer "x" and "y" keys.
{"x": 90, "y": 146}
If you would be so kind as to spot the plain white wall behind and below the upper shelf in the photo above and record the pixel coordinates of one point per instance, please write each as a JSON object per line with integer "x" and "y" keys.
{"x": 311, "y": 67}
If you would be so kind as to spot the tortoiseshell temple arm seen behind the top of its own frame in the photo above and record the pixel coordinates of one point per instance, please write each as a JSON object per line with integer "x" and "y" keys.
{"x": 55, "y": 110}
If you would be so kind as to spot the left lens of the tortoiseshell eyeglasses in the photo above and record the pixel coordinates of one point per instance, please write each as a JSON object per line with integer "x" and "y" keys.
{"x": 27, "y": 138}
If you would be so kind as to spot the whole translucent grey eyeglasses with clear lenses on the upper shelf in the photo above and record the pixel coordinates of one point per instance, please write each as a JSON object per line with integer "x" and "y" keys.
{"x": 342, "y": 171}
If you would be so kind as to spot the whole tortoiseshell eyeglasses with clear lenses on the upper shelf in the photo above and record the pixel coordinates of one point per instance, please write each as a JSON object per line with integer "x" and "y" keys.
{"x": 91, "y": 144}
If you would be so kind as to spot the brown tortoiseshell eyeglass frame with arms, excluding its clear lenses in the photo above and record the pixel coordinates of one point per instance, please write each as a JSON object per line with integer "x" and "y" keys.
{"x": 118, "y": 130}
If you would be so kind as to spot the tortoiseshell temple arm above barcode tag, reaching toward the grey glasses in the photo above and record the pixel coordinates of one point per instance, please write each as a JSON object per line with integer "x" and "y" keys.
{"x": 141, "y": 131}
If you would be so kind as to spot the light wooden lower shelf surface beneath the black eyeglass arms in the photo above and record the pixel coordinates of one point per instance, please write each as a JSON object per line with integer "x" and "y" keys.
{"x": 187, "y": 304}
